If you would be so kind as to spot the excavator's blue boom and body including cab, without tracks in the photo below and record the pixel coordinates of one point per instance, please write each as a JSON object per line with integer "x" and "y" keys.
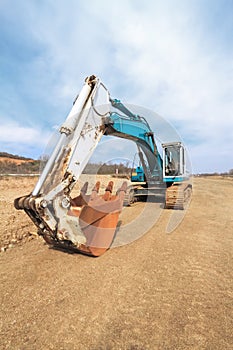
{"x": 133, "y": 127}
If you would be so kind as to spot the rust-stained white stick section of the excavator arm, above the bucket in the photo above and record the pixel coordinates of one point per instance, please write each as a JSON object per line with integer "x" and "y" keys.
{"x": 80, "y": 134}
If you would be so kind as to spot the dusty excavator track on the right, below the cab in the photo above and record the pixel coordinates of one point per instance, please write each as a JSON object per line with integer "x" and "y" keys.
{"x": 178, "y": 196}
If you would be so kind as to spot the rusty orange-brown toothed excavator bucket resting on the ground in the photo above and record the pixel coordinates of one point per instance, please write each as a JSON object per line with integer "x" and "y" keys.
{"x": 98, "y": 217}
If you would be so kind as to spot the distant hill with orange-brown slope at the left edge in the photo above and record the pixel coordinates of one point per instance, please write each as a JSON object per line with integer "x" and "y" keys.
{"x": 14, "y": 164}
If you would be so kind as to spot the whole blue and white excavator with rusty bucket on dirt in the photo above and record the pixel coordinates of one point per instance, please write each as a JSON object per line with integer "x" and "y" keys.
{"x": 87, "y": 222}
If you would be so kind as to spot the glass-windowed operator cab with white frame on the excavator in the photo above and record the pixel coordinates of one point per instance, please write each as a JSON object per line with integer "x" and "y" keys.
{"x": 173, "y": 162}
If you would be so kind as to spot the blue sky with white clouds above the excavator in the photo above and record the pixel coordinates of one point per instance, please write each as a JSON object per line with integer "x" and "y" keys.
{"x": 173, "y": 57}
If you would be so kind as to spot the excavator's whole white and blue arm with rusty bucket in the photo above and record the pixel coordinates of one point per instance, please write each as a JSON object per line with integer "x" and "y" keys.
{"x": 87, "y": 222}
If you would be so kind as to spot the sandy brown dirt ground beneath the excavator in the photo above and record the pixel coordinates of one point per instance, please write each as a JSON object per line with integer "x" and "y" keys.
{"x": 163, "y": 291}
